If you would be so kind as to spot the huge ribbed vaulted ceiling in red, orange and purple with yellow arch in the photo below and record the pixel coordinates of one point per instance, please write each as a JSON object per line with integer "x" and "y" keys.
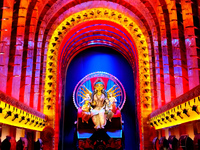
{"x": 35, "y": 34}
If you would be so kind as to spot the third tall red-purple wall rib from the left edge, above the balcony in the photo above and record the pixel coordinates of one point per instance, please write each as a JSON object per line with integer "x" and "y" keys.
{"x": 26, "y": 71}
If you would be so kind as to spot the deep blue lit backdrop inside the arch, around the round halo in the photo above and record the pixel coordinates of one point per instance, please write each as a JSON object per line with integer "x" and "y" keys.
{"x": 100, "y": 59}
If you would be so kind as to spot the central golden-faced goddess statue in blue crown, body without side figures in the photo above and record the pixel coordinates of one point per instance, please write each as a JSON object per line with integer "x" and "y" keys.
{"x": 98, "y": 103}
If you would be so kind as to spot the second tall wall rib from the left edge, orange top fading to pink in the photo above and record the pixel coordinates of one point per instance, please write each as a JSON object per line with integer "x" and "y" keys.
{"x": 19, "y": 26}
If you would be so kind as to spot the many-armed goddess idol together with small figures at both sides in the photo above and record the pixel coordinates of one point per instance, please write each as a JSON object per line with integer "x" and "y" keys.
{"x": 99, "y": 104}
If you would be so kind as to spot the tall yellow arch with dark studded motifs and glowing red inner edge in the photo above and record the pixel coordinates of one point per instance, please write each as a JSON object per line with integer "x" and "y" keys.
{"x": 58, "y": 57}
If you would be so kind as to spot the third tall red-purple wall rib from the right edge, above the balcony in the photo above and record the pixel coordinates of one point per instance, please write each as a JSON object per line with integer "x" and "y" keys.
{"x": 169, "y": 81}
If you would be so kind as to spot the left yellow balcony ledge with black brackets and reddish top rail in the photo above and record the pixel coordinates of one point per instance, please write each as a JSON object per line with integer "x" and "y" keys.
{"x": 15, "y": 113}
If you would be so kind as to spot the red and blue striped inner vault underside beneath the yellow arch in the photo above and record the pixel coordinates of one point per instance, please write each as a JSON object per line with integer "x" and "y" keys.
{"x": 103, "y": 31}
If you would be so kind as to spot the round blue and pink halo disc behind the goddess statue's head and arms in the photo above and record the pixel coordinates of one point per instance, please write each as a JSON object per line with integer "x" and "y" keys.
{"x": 109, "y": 80}
